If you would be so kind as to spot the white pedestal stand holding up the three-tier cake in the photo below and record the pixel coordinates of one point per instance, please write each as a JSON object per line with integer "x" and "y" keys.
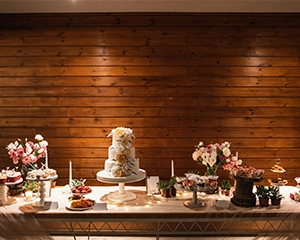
{"x": 121, "y": 195}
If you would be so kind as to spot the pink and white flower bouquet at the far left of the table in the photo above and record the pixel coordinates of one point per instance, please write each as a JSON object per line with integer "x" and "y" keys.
{"x": 28, "y": 152}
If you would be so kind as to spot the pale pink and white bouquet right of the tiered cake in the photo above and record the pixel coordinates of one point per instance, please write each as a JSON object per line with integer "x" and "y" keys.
{"x": 212, "y": 156}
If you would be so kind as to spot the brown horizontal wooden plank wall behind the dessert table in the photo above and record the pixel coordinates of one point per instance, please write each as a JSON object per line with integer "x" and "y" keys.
{"x": 175, "y": 79}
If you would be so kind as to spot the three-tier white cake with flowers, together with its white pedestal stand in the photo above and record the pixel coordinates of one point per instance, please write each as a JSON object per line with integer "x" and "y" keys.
{"x": 121, "y": 166}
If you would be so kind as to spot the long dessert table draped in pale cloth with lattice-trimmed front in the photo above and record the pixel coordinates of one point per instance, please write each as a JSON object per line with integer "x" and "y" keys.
{"x": 148, "y": 215}
